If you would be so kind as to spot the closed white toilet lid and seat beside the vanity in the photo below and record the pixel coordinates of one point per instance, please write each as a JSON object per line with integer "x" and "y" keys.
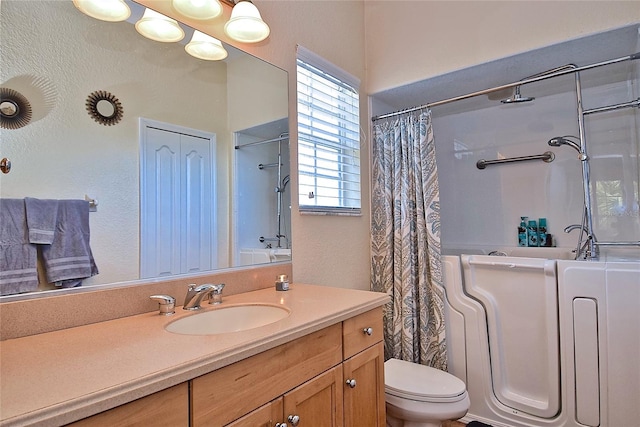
{"x": 418, "y": 382}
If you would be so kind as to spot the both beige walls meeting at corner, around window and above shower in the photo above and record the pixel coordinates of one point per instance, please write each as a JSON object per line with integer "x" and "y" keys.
{"x": 398, "y": 42}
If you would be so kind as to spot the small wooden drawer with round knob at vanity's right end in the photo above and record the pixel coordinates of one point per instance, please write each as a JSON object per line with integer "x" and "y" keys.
{"x": 354, "y": 332}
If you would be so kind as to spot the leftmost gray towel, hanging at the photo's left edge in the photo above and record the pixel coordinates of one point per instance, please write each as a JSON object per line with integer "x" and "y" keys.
{"x": 18, "y": 258}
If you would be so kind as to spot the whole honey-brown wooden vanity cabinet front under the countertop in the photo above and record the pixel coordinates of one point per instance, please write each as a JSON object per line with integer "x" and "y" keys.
{"x": 330, "y": 378}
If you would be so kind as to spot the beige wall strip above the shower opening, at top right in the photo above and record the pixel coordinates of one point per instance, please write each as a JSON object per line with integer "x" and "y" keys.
{"x": 408, "y": 41}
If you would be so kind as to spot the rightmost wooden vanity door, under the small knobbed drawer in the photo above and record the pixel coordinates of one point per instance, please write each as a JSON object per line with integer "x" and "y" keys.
{"x": 364, "y": 403}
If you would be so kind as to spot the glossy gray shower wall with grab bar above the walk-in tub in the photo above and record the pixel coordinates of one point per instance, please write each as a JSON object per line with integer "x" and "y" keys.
{"x": 482, "y": 208}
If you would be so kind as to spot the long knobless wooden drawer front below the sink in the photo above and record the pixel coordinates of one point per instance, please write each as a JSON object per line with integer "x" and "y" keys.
{"x": 231, "y": 392}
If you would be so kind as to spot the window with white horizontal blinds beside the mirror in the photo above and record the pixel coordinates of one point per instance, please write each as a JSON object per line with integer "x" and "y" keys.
{"x": 328, "y": 137}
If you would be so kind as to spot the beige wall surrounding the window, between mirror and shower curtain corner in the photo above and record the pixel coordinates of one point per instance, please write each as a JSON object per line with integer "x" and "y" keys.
{"x": 327, "y": 250}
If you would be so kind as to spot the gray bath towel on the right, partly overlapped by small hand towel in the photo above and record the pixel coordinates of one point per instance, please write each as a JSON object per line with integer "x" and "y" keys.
{"x": 68, "y": 260}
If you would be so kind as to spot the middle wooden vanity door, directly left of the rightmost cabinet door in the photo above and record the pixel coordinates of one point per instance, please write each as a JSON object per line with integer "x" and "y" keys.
{"x": 318, "y": 402}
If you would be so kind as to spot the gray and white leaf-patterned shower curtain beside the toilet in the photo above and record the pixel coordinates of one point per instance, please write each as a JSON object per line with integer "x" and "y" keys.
{"x": 405, "y": 238}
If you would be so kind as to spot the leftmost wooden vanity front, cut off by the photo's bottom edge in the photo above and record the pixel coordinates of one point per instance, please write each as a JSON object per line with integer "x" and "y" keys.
{"x": 168, "y": 408}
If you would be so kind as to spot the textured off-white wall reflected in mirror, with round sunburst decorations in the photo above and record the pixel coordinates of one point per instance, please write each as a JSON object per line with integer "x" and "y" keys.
{"x": 63, "y": 153}
